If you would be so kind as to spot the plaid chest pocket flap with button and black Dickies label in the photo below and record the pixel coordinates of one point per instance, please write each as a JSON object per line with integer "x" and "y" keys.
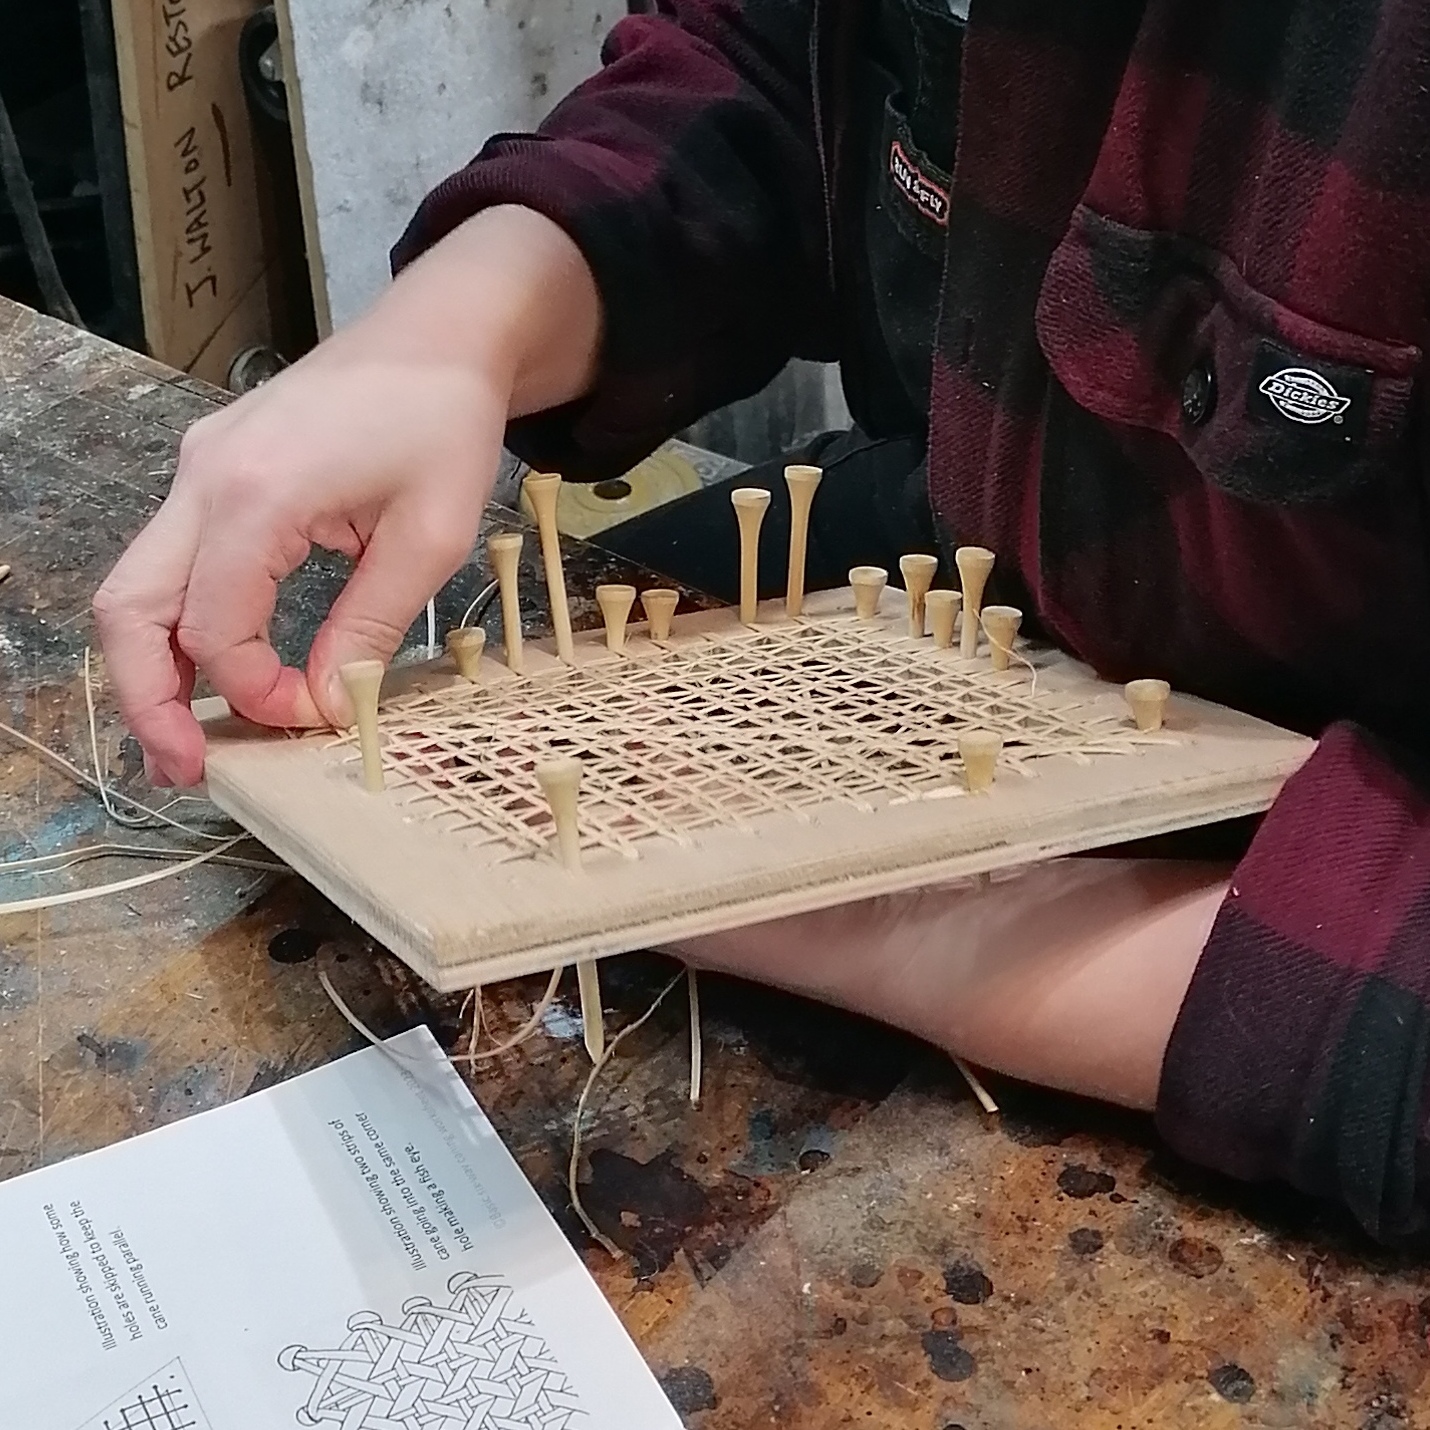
{"x": 1155, "y": 331}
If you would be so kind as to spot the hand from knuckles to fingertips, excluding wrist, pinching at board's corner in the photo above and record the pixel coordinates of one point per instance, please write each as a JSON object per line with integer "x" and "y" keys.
{"x": 388, "y": 463}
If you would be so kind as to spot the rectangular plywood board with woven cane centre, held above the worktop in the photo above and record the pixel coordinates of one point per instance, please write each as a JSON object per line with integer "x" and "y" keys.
{"x": 733, "y": 774}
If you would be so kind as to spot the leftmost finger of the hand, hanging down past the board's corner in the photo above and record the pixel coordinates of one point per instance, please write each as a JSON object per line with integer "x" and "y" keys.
{"x": 137, "y": 611}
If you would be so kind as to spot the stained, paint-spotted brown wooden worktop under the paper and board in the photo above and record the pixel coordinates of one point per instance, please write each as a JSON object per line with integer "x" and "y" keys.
{"x": 836, "y": 1238}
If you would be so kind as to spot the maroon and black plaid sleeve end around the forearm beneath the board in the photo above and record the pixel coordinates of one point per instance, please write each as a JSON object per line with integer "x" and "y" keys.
{"x": 1301, "y": 1052}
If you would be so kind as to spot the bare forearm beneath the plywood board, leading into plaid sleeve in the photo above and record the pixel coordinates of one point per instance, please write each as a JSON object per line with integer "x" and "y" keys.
{"x": 1070, "y": 976}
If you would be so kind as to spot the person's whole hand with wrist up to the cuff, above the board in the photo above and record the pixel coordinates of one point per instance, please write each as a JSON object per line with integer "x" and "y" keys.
{"x": 383, "y": 444}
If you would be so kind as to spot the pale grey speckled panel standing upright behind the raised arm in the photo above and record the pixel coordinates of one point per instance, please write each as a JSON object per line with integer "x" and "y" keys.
{"x": 388, "y": 101}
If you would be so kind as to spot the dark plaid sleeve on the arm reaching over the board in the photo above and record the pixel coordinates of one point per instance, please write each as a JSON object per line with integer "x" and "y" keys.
{"x": 687, "y": 174}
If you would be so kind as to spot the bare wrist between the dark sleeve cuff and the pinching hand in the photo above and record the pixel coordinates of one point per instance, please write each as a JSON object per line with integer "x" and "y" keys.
{"x": 510, "y": 295}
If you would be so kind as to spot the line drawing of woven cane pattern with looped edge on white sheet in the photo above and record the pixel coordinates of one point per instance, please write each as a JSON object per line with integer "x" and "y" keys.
{"x": 475, "y": 1364}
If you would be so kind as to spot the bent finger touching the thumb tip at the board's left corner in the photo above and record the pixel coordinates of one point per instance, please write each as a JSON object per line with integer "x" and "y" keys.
{"x": 224, "y": 623}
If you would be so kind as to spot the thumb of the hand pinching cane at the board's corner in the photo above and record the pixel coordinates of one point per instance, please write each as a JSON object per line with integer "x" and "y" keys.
{"x": 414, "y": 551}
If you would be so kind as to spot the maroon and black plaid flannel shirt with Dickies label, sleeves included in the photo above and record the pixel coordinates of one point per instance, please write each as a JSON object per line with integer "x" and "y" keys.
{"x": 1175, "y": 387}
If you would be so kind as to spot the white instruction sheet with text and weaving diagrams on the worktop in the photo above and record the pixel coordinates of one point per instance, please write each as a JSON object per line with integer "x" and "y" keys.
{"x": 351, "y": 1249}
